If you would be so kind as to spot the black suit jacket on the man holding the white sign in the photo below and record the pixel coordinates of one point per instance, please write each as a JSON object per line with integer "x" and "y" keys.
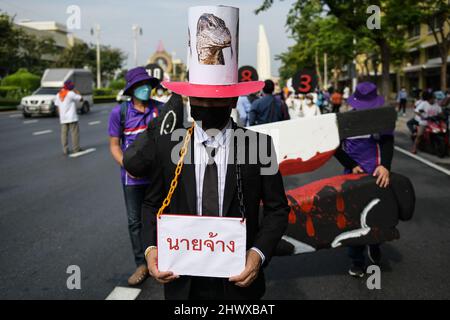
{"x": 263, "y": 232}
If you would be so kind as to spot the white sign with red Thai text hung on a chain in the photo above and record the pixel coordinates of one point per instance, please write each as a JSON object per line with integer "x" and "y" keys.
{"x": 201, "y": 246}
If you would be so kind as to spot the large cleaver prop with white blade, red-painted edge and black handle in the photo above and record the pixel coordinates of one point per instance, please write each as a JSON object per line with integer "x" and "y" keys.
{"x": 305, "y": 144}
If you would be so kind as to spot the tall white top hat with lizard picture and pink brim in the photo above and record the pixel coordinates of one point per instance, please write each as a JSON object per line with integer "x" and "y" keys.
{"x": 213, "y": 50}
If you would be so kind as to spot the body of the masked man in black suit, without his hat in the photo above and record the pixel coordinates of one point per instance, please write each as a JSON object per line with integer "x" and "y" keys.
{"x": 220, "y": 196}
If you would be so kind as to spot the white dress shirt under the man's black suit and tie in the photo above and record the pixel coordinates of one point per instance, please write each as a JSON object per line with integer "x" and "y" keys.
{"x": 221, "y": 141}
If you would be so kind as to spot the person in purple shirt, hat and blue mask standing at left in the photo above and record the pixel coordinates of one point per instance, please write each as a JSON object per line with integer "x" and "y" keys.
{"x": 126, "y": 122}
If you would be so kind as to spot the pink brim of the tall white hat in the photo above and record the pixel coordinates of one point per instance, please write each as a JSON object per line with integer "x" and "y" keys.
{"x": 214, "y": 91}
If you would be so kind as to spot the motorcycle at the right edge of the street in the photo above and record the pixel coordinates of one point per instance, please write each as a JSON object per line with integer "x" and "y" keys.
{"x": 435, "y": 139}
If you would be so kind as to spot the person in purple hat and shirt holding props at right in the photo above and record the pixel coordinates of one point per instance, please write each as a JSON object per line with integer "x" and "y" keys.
{"x": 371, "y": 154}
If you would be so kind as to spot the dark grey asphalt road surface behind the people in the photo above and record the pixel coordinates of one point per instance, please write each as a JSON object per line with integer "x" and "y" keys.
{"x": 58, "y": 211}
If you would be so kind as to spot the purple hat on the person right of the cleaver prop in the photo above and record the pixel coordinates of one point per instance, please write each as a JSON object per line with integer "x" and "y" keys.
{"x": 365, "y": 97}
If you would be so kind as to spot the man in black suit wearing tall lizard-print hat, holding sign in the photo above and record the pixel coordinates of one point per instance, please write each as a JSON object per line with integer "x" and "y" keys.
{"x": 219, "y": 177}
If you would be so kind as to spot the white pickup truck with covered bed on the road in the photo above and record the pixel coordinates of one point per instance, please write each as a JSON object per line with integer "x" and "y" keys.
{"x": 41, "y": 101}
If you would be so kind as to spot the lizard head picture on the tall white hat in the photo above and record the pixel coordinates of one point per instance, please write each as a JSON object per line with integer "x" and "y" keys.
{"x": 212, "y": 36}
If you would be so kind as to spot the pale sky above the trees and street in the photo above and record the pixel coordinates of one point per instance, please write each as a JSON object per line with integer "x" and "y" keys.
{"x": 164, "y": 20}
